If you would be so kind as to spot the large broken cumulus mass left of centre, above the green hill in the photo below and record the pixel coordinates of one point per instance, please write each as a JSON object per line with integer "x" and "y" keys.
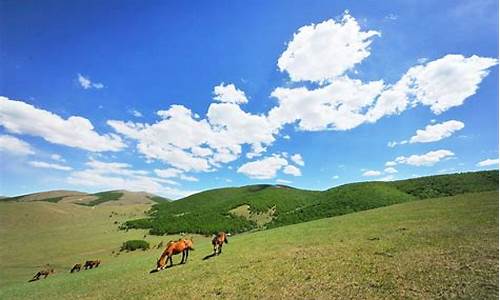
{"x": 188, "y": 143}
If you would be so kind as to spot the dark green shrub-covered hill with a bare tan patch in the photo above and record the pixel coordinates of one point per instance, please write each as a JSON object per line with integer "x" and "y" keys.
{"x": 265, "y": 206}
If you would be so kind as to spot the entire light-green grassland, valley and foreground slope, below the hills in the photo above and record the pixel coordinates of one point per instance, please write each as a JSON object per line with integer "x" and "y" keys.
{"x": 434, "y": 248}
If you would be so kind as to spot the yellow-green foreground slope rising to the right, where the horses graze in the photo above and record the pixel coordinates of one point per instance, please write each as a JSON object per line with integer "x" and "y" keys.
{"x": 425, "y": 249}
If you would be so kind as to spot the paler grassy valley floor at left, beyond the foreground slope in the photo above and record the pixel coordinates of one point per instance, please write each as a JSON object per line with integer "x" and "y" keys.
{"x": 37, "y": 233}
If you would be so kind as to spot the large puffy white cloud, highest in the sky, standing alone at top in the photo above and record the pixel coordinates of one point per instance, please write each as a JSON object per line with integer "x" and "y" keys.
{"x": 321, "y": 52}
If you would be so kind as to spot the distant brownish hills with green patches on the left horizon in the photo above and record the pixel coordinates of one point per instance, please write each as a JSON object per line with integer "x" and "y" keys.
{"x": 118, "y": 197}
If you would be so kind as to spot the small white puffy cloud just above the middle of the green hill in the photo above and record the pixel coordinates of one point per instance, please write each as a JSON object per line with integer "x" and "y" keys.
{"x": 265, "y": 168}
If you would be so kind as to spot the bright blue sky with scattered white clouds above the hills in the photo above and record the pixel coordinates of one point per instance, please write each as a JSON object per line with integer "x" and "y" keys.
{"x": 178, "y": 97}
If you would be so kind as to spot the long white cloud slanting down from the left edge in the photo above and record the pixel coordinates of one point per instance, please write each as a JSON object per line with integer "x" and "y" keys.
{"x": 22, "y": 118}
